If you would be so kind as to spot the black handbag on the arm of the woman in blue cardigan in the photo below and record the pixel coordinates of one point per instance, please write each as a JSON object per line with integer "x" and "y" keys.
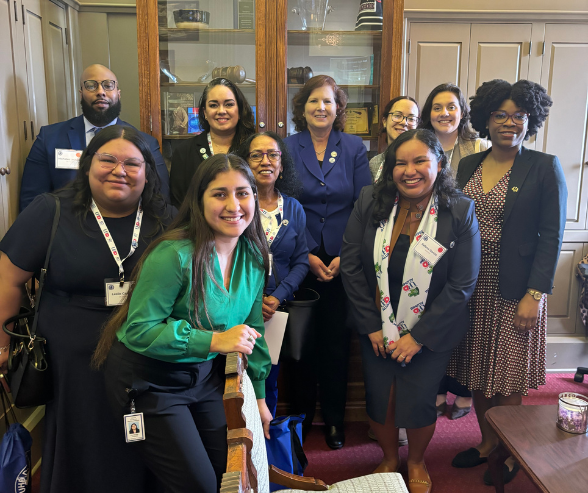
{"x": 300, "y": 328}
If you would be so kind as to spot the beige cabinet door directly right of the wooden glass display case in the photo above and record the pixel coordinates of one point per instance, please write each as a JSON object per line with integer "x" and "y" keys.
{"x": 438, "y": 53}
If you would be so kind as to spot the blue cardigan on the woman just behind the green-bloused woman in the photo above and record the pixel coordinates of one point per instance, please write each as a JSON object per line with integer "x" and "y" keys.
{"x": 290, "y": 252}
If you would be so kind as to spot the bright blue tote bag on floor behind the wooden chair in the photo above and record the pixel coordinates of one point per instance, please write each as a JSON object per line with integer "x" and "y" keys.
{"x": 284, "y": 448}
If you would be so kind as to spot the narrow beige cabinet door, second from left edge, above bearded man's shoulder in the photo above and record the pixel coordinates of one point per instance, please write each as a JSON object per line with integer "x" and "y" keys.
{"x": 35, "y": 62}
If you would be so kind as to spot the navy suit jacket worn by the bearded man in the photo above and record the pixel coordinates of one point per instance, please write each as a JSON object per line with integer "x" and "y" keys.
{"x": 41, "y": 176}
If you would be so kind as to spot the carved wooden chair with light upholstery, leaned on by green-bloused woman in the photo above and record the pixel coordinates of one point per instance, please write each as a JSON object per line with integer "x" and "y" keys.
{"x": 247, "y": 467}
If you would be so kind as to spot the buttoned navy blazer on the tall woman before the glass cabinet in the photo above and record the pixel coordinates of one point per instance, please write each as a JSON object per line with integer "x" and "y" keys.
{"x": 330, "y": 191}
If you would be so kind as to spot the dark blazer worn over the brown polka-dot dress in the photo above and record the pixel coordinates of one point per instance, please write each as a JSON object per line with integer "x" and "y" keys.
{"x": 534, "y": 220}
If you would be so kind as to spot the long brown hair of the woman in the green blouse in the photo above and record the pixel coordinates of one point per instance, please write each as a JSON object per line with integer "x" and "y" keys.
{"x": 190, "y": 224}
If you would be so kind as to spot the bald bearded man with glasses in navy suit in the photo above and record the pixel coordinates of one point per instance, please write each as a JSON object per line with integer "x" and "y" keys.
{"x": 53, "y": 160}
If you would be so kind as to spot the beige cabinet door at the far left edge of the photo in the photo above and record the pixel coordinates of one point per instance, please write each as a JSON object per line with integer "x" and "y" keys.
{"x": 13, "y": 111}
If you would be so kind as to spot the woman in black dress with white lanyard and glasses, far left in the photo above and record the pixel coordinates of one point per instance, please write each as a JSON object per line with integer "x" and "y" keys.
{"x": 113, "y": 201}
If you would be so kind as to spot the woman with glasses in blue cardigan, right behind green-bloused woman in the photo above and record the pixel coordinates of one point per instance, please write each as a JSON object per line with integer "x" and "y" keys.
{"x": 284, "y": 223}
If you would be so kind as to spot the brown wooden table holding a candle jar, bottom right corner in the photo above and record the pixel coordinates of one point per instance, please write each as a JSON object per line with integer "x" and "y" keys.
{"x": 555, "y": 461}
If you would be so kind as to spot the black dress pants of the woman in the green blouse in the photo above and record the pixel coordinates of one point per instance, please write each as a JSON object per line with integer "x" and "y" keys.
{"x": 185, "y": 442}
